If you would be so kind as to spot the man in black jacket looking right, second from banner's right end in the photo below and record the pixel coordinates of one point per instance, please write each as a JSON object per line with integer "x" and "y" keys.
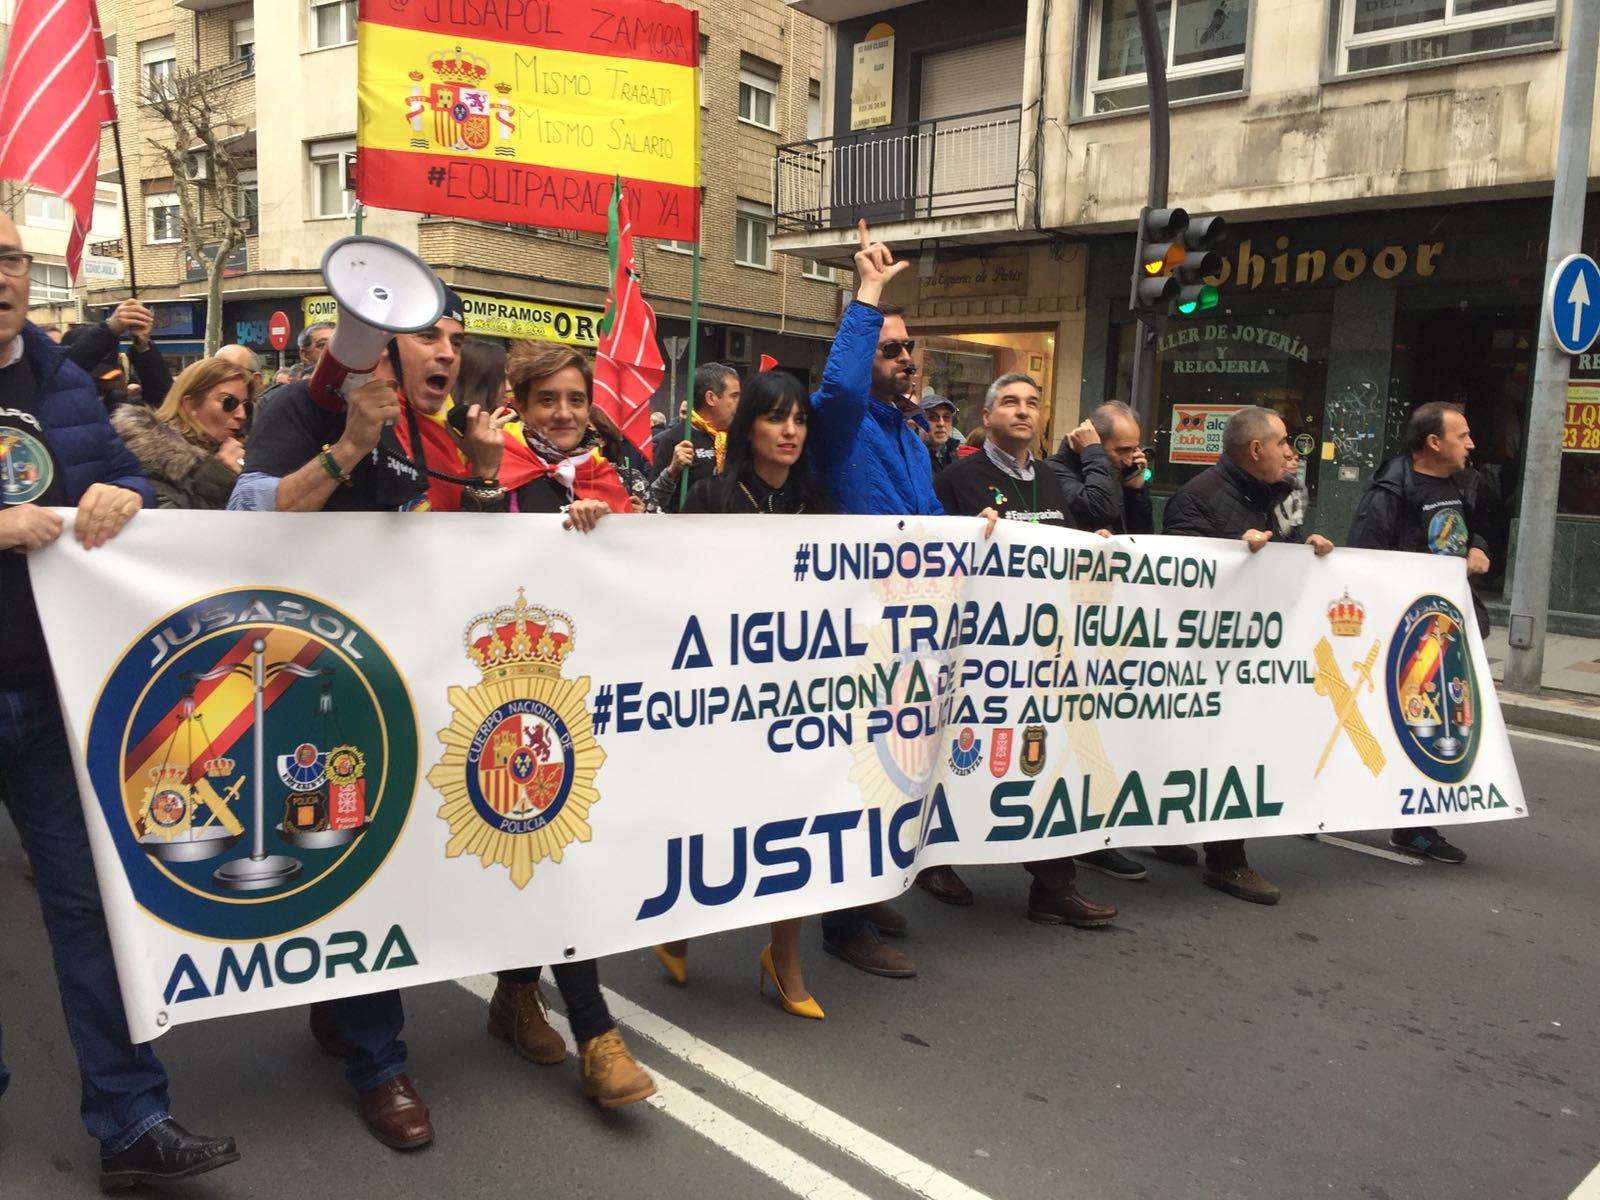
{"x": 1246, "y": 495}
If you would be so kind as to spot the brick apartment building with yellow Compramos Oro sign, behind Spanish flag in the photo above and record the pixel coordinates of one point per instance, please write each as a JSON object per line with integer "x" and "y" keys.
{"x": 284, "y": 79}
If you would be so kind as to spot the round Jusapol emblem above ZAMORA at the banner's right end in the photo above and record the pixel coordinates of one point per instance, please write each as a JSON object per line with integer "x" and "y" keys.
{"x": 1434, "y": 698}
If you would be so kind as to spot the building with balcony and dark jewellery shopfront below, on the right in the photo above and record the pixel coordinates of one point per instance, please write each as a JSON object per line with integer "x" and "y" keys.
{"x": 1385, "y": 167}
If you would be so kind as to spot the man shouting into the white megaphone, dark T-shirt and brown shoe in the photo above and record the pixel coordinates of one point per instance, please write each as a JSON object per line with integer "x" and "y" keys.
{"x": 388, "y": 449}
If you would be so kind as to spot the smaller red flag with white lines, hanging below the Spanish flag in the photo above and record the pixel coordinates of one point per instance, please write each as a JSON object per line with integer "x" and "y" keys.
{"x": 628, "y": 361}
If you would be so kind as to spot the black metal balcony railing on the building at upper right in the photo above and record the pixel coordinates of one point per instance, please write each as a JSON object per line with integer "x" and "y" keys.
{"x": 945, "y": 167}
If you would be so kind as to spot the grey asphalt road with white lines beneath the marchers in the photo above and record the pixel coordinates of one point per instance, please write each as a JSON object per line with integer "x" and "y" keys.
{"x": 1388, "y": 1031}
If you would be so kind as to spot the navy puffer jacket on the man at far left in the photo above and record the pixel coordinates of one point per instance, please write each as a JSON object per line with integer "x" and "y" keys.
{"x": 74, "y": 423}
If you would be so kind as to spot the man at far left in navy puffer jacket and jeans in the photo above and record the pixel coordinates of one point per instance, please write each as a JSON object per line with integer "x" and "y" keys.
{"x": 58, "y": 449}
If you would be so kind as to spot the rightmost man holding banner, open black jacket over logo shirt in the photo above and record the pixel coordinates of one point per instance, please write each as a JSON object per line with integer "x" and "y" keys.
{"x": 1425, "y": 502}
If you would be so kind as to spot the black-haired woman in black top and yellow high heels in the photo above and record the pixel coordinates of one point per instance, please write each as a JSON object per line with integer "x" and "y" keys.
{"x": 764, "y": 470}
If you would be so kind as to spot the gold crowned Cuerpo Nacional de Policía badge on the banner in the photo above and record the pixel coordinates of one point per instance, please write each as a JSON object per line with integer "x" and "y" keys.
{"x": 521, "y": 759}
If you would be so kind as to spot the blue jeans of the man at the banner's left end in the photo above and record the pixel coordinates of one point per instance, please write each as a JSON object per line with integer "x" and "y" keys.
{"x": 124, "y": 1086}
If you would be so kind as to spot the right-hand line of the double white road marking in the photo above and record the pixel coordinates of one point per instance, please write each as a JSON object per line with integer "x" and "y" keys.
{"x": 793, "y": 1106}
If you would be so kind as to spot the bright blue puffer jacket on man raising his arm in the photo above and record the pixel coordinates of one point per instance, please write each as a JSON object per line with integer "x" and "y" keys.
{"x": 868, "y": 458}
